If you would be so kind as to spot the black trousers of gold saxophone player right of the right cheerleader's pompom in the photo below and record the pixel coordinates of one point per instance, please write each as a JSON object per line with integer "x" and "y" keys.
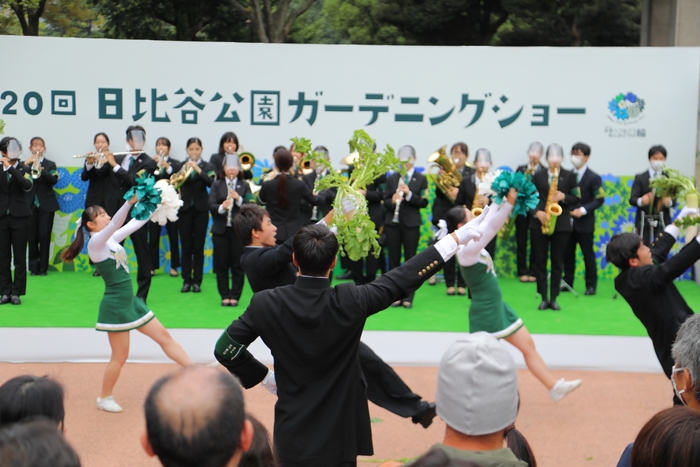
{"x": 551, "y": 246}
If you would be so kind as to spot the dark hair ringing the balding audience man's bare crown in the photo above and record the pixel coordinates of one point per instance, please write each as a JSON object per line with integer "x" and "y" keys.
{"x": 209, "y": 441}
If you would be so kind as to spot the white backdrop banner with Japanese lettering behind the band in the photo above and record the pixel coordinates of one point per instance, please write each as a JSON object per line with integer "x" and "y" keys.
{"x": 423, "y": 96}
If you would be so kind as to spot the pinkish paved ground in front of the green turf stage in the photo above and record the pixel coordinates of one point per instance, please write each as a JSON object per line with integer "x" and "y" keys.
{"x": 588, "y": 428}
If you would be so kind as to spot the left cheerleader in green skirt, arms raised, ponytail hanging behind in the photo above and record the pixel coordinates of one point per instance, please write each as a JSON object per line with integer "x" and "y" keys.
{"x": 120, "y": 311}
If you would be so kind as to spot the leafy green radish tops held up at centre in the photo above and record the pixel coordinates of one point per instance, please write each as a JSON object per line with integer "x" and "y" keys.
{"x": 357, "y": 236}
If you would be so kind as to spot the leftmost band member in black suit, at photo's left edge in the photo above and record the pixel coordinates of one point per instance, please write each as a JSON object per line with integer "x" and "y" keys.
{"x": 15, "y": 182}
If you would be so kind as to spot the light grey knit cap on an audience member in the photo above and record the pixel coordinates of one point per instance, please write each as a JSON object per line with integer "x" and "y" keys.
{"x": 477, "y": 390}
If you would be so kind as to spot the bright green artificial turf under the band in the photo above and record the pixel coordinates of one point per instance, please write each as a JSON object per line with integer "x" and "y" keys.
{"x": 68, "y": 299}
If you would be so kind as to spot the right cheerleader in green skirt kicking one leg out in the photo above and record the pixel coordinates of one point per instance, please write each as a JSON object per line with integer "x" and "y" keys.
{"x": 487, "y": 311}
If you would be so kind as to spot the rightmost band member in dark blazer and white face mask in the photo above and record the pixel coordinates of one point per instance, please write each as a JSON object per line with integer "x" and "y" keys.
{"x": 651, "y": 209}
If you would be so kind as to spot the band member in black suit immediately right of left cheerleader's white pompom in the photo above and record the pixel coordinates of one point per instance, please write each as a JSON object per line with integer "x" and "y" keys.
{"x": 194, "y": 215}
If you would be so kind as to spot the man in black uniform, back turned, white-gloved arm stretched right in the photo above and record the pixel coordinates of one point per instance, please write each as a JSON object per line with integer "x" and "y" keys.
{"x": 313, "y": 331}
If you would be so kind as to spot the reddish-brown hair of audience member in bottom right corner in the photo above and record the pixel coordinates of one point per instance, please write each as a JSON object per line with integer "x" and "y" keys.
{"x": 670, "y": 439}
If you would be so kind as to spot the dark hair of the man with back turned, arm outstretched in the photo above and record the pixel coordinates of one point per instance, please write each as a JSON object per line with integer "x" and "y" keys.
{"x": 315, "y": 248}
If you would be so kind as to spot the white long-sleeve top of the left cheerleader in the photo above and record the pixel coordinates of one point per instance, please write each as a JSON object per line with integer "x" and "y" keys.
{"x": 105, "y": 243}
